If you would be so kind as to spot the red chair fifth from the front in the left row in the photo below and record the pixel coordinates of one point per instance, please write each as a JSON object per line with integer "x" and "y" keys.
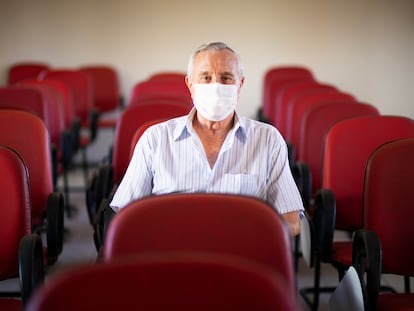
{"x": 80, "y": 85}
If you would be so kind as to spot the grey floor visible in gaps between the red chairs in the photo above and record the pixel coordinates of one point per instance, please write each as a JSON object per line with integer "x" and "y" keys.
{"x": 79, "y": 249}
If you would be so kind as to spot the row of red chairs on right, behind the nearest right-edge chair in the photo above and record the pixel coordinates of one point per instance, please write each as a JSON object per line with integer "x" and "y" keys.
{"x": 330, "y": 136}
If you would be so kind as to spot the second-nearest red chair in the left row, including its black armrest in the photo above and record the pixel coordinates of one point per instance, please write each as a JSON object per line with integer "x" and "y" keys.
{"x": 28, "y": 135}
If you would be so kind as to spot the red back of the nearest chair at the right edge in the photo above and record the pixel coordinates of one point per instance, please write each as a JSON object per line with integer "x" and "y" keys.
{"x": 389, "y": 203}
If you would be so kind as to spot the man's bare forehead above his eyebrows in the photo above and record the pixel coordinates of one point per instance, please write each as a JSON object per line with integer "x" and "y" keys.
{"x": 211, "y": 60}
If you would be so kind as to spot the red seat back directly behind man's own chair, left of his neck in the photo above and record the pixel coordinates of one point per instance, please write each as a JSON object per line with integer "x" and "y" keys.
{"x": 129, "y": 121}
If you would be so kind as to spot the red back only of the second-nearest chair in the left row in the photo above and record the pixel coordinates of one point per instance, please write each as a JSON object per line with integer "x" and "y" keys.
{"x": 28, "y": 135}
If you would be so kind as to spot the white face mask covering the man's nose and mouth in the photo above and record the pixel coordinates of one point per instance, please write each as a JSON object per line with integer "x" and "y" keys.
{"x": 215, "y": 101}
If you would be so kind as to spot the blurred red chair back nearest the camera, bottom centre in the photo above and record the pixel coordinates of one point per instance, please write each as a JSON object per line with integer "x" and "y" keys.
{"x": 157, "y": 281}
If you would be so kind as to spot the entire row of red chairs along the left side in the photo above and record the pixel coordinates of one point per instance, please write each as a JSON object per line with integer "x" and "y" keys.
{"x": 43, "y": 112}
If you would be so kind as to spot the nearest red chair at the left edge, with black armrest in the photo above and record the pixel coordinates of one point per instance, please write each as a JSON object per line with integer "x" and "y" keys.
{"x": 21, "y": 254}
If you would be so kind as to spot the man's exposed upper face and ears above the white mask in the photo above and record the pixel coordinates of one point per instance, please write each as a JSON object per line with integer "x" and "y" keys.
{"x": 215, "y": 67}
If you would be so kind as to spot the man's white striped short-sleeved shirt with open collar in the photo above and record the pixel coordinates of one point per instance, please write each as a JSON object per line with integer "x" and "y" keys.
{"x": 169, "y": 157}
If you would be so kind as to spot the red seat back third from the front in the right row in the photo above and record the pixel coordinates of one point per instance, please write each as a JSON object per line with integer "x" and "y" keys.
{"x": 313, "y": 127}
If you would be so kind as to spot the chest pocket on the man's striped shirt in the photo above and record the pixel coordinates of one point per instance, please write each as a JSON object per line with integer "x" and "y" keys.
{"x": 244, "y": 184}
